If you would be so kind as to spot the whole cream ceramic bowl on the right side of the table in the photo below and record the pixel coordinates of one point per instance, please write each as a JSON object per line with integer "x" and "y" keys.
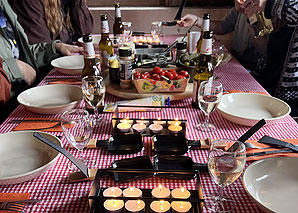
{"x": 248, "y": 108}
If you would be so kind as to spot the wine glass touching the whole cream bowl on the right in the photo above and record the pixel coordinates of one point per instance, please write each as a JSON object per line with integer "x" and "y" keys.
{"x": 209, "y": 96}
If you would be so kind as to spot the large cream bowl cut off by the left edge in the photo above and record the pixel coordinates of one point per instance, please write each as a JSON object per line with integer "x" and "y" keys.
{"x": 23, "y": 157}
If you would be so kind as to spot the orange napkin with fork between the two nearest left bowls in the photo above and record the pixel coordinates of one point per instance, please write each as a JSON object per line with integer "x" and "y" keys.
{"x": 39, "y": 125}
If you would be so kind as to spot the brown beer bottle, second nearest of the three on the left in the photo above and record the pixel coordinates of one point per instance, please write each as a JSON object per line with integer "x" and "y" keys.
{"x": 105, "y": 44}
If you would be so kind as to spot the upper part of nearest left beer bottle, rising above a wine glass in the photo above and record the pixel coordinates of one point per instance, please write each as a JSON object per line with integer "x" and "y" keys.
{"x": 89, "y": 57}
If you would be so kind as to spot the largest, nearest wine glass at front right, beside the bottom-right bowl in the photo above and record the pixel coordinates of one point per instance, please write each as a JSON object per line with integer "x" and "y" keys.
{"x": 224, "y": 167}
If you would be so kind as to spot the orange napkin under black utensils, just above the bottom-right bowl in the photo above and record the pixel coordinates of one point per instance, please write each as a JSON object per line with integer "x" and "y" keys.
{"x": 256, "y": 143}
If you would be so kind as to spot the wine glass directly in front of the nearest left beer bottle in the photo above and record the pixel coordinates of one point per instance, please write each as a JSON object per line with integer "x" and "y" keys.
{"x": 94, "y": 89}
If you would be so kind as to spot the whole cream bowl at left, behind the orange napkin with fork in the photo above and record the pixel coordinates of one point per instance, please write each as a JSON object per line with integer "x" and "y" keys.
{"x": 51, "y": 99}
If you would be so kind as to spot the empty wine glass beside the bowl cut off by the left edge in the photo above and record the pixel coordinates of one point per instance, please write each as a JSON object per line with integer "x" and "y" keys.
{"x": 77, "y": 129}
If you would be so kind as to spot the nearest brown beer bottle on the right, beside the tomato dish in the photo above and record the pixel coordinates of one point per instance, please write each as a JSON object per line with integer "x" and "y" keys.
{"x": 204, "y": 68}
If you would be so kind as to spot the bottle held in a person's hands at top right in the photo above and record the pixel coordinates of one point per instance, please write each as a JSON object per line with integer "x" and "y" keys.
{"x": 260, "y": 25}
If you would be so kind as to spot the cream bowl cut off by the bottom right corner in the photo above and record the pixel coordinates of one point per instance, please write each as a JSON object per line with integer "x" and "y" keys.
{"x": 273, "y": 184}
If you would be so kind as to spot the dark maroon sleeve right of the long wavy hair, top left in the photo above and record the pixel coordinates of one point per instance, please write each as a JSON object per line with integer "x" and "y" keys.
{"x": 81, "y": 18}
